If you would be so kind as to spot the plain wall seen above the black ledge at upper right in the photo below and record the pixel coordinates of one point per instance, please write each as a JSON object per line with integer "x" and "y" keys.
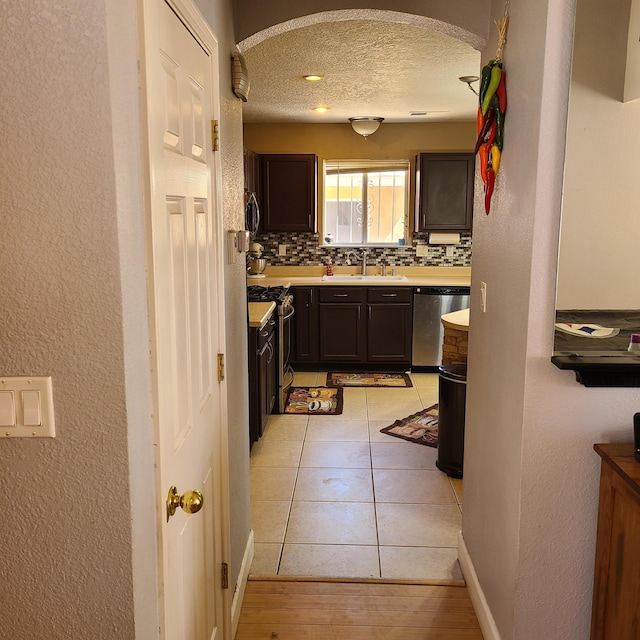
{"x": 600, "y": 222}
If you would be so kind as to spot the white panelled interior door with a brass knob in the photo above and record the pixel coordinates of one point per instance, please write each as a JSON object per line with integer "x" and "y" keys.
{"x": 186, "y": 305}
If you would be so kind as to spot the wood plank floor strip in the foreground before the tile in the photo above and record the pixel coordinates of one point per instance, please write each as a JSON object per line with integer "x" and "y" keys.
{"x": 329, "y": 610}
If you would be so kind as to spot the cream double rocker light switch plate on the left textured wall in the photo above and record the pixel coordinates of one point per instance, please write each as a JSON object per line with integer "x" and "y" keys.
{"x": 27, "y": 410}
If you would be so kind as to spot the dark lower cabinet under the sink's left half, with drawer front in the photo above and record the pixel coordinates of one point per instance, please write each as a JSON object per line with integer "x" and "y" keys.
{"x": 342, "y": 325}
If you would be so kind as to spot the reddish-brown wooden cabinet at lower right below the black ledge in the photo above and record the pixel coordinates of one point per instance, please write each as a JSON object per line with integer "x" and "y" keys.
{"x": 615, "y": 612}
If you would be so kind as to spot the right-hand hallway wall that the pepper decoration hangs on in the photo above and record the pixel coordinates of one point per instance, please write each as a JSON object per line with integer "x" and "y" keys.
{"x": 531, "y": 476}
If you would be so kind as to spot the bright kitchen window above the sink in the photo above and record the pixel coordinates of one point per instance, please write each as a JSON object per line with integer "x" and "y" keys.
{"x": 366, "y": 202}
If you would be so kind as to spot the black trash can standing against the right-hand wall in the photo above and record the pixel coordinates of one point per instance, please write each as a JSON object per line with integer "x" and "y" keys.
{"x": 451, "y": 407}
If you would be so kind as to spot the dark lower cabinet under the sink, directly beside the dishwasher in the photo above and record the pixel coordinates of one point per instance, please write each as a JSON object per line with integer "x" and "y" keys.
{"x": 389, "y": 324}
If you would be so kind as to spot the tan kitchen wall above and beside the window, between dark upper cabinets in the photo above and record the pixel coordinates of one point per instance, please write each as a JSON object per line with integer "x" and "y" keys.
{"x": 339, "y": 142}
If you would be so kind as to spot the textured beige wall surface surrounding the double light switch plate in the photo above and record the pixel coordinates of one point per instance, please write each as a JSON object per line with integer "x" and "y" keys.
{"x": 66, "y": 562}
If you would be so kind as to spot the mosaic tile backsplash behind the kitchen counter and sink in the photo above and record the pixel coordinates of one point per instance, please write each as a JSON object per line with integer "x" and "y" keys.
{"x": 303, "y": 250}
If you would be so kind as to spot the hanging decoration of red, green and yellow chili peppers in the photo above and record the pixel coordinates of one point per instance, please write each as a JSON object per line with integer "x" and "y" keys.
{"x": 492, "y": 109}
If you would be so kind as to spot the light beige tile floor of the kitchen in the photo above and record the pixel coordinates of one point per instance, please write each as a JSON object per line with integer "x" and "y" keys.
{"x": 334, "y": 497}
